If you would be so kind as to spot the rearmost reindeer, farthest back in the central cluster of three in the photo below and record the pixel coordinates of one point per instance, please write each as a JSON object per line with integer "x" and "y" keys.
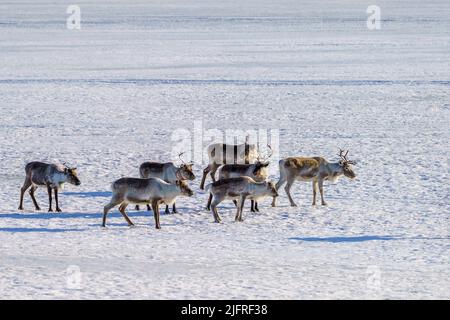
{"x": 221, "y": 153}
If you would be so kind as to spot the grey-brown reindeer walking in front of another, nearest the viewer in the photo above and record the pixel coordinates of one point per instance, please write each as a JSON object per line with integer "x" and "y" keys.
{"x": 145, "y": 191}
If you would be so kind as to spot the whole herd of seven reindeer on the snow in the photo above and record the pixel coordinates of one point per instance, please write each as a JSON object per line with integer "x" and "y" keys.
{"x": 242, "y": 175}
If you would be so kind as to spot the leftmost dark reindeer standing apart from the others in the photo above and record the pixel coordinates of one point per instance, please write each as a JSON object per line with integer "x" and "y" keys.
{"x": 53, "y": 176}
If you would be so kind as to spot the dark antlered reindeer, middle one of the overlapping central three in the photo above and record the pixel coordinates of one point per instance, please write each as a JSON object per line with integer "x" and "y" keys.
{"x": 257, "y": 171}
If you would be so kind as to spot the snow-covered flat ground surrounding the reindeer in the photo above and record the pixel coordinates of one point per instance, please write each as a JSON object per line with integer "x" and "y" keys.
{"x": 108, "y": 96}
